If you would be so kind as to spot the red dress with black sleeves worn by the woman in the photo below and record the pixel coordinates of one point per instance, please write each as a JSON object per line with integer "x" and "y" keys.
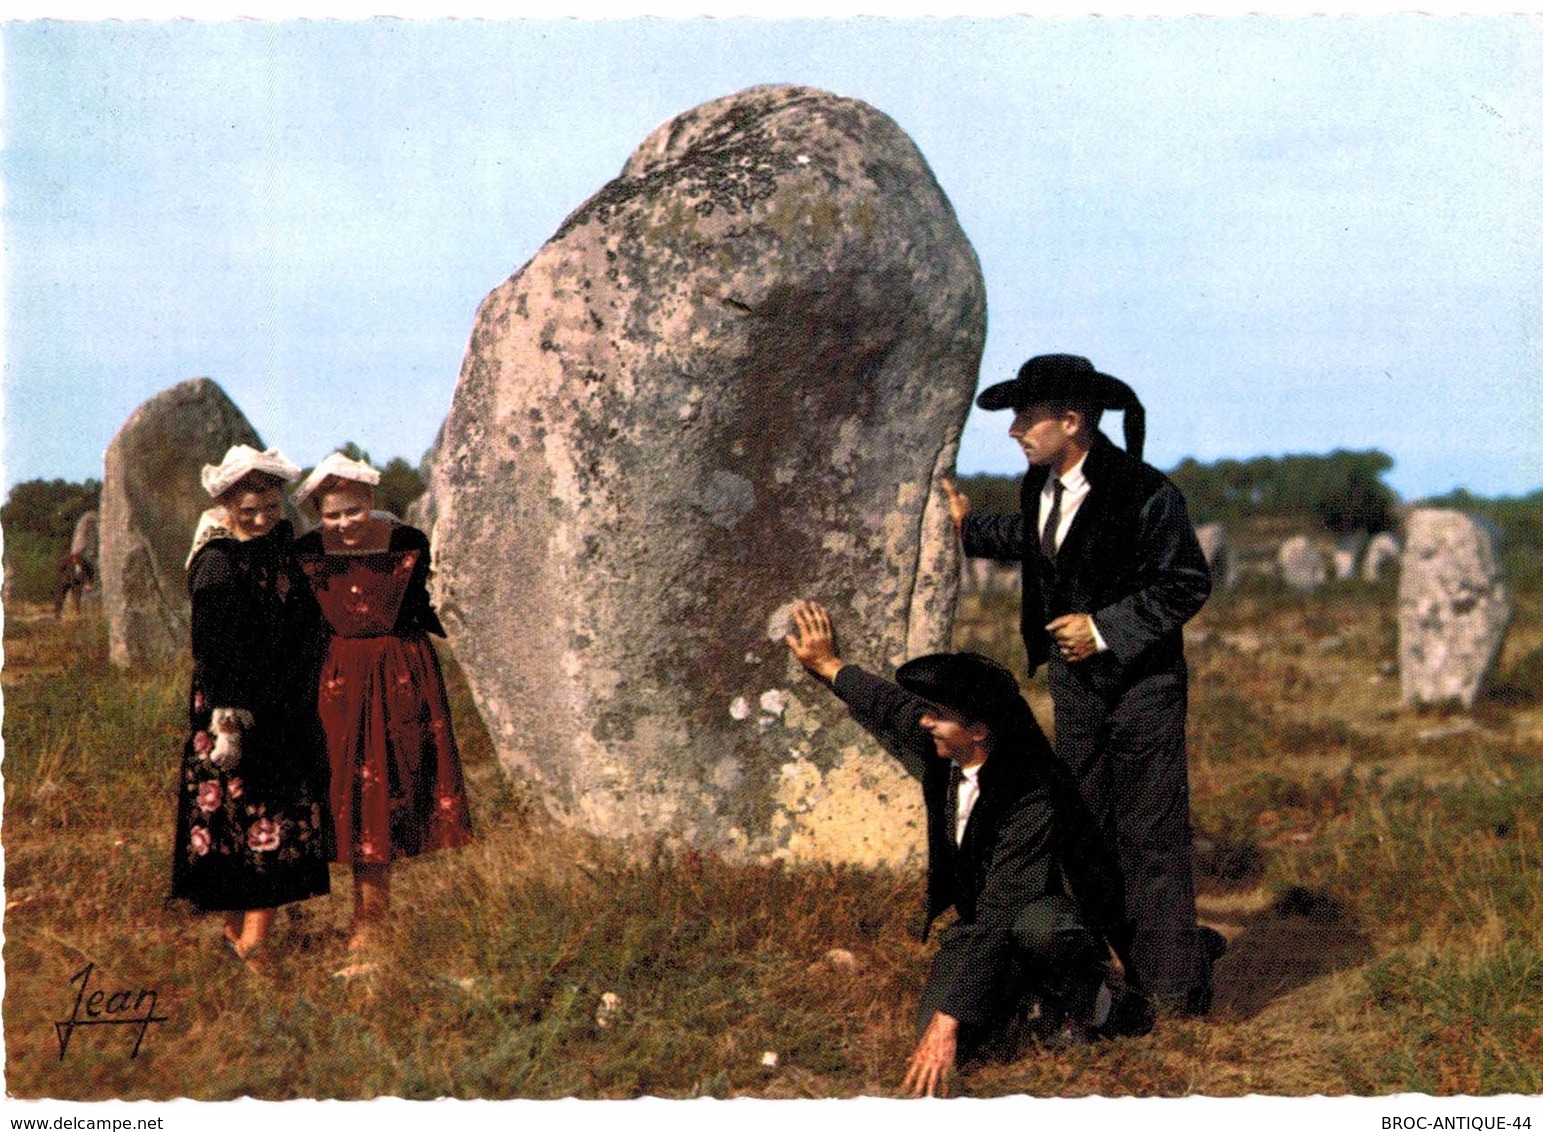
{"x": 397, "y": 786}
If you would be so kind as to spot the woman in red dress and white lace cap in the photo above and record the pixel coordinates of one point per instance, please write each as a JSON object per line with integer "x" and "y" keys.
{"x": 396, "y": 773}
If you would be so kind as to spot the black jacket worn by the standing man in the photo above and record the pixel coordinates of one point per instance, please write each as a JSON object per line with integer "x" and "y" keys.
{"x": 1130, "y": 559}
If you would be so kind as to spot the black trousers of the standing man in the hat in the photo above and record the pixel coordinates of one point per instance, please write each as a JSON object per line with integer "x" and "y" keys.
{"x": 1127, "y": 753}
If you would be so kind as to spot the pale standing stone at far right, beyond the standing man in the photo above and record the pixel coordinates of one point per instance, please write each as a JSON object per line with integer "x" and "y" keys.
{"x": 1453, "y": 607}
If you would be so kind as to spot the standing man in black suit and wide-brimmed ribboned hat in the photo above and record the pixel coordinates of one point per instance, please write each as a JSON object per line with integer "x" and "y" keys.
{"x": 1112, "y": 571}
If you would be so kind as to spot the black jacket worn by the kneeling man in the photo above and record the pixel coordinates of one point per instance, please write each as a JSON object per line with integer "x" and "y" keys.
{"x": 1027, "y": 835}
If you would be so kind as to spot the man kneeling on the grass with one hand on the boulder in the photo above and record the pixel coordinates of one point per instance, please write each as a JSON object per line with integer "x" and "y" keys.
{"x": 1008, "y": 844}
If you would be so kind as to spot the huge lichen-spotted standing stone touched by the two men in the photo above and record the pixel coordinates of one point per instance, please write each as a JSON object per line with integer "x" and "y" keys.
{"x": 729, "y": 382}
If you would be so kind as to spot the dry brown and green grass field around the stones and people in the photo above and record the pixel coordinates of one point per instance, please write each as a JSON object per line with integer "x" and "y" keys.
{"x": 1377, "y": 869}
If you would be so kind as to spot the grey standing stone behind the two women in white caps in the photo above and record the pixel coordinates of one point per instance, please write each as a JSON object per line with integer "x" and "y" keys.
{"x": 152, "y": 499}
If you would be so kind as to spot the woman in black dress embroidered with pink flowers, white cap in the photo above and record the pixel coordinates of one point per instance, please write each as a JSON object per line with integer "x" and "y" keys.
{"x": 252, "y": 824}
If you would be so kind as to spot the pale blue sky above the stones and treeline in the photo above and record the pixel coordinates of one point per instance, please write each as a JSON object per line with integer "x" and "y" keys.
{"x": 1288, "y": 235}
